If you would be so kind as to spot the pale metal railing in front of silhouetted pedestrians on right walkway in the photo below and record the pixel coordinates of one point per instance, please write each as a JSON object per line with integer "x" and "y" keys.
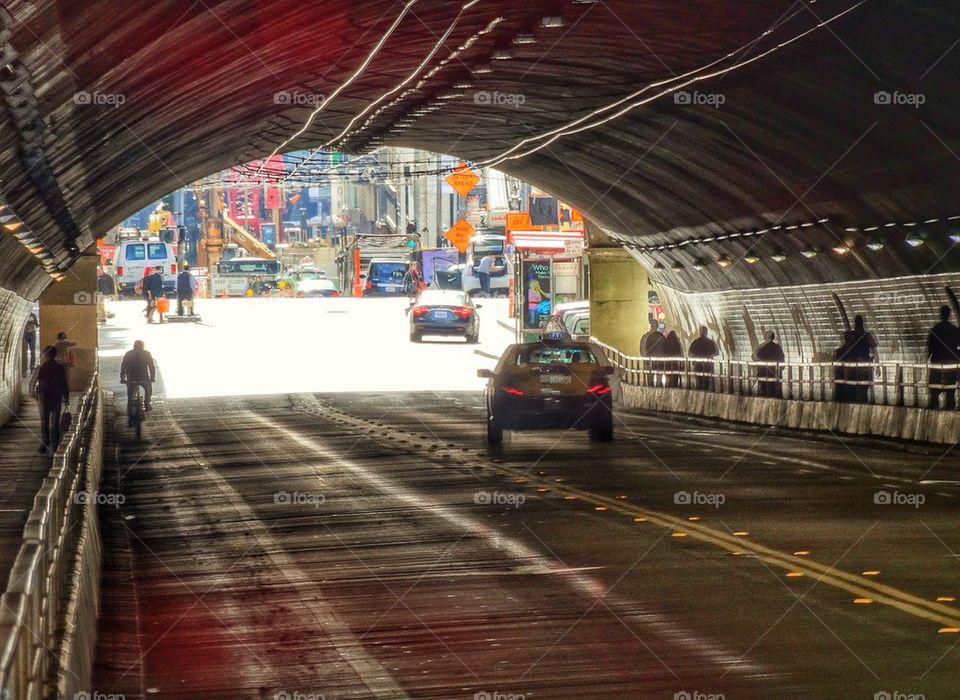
{"x": 881, "y": 383}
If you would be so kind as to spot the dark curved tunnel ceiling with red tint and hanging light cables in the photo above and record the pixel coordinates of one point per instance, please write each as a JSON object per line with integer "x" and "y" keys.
{"x": 696, "y": 123}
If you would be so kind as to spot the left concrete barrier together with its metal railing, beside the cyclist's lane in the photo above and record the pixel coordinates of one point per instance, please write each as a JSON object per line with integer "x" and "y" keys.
{"x": 48, "y": 610}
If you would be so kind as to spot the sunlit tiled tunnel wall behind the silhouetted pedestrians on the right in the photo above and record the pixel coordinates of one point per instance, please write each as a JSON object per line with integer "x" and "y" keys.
{"x": 807, "y": 319}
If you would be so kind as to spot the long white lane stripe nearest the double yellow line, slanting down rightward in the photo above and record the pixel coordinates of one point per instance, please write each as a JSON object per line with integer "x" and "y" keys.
{"x": 588, "y": 586}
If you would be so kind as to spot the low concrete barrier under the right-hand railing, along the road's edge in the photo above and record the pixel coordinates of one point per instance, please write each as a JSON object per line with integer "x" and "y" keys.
{"x": 903, "y": 423}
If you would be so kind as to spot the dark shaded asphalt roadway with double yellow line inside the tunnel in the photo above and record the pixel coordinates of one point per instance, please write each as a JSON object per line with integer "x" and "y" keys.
{"x": 370, "y": 544}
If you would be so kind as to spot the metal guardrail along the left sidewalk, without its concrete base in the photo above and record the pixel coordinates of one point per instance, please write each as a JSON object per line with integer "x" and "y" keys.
{"x": 39, "y": 592}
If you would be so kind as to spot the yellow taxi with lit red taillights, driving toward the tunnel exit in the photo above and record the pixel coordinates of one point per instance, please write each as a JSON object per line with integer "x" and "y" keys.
{"x": 553, "y": 383}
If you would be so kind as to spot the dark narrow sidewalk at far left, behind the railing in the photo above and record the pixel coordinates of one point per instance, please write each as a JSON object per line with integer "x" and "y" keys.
{"x": 23, "y": 470}
